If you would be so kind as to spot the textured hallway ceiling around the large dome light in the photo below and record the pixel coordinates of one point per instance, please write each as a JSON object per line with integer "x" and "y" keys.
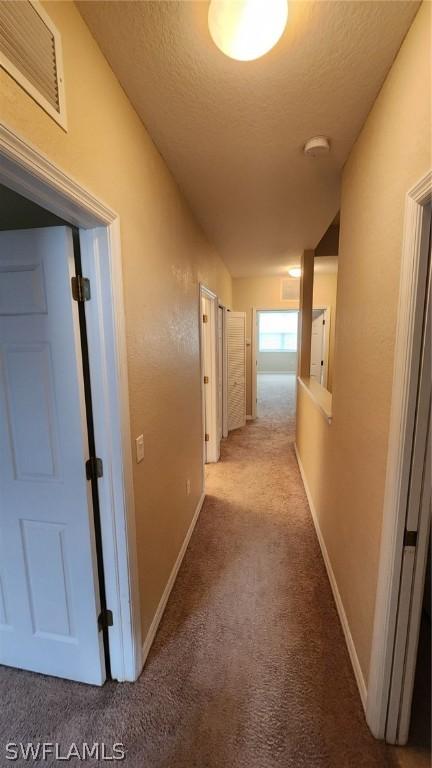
{"x": 232, "y": 132}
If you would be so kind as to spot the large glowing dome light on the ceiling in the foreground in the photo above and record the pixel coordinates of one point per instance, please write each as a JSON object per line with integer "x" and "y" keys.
{"x": 247, "y": 29}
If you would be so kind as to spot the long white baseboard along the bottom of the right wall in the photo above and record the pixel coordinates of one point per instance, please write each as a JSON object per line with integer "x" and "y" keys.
{"x": 361, "y": 684}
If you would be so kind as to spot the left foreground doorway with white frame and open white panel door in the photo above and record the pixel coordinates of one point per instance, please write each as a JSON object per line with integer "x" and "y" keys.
{"x": 59, "y": 557}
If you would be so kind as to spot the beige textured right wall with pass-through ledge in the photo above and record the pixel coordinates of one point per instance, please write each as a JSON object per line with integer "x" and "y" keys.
{"x": 345, "y": 462}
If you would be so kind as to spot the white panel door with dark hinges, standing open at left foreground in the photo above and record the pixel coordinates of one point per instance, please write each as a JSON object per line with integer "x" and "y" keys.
{"x": 49, "y": 598}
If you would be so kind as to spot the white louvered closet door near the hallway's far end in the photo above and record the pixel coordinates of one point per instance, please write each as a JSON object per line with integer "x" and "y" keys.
{"x": 236, "y": 337}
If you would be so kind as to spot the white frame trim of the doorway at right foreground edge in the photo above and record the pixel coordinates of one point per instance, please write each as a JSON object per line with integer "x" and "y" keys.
{"x": 402, "y": 419}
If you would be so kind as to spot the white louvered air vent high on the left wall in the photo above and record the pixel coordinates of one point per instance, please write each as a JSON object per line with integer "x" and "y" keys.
{"x": 30, "y": 51}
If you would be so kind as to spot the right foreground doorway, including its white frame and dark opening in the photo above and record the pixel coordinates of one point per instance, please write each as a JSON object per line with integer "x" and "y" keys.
{"x": 398, "y": 701}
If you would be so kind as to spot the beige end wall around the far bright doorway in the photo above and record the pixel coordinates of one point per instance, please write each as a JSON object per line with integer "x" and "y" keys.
{"x": 265, "y": 293}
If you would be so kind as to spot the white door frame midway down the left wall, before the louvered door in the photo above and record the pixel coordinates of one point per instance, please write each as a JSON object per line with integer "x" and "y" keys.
{"x": 211, "y": 448}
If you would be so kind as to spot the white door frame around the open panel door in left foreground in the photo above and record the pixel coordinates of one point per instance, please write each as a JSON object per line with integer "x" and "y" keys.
{"x": 27, "y": 171}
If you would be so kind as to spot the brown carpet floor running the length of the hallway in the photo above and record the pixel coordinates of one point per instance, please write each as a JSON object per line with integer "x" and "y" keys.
{"x": 249, "y": 668}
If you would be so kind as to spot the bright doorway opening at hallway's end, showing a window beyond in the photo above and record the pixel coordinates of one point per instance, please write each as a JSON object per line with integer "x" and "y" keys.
{"x": 275, "y": 355}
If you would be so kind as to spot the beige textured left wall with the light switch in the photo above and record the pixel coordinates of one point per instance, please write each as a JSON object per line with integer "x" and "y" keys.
{"x": 165, "y": 255}
